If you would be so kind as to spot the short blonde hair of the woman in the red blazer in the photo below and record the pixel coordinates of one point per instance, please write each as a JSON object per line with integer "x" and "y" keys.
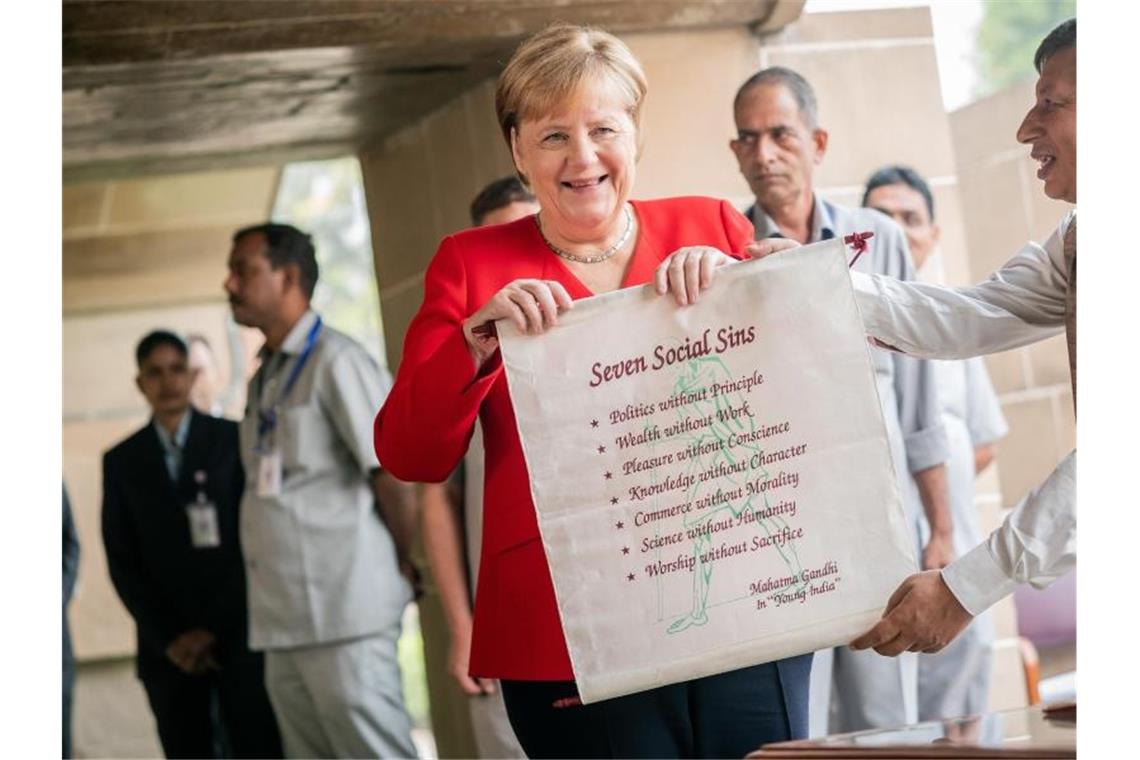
{"x": 551, "y": 66}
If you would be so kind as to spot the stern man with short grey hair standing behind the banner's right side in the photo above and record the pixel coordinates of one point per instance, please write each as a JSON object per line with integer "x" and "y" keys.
{"x": 778, "y": 146}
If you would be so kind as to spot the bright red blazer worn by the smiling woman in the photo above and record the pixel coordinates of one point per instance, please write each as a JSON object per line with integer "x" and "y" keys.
{"x": 425, "y": 427}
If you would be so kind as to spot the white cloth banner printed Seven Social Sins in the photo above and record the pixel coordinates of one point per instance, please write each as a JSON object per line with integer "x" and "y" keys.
{"x": 713, "y": 483}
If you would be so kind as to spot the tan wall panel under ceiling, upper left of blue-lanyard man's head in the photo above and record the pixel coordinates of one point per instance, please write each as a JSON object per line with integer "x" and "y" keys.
{"x": 215, "y": 199}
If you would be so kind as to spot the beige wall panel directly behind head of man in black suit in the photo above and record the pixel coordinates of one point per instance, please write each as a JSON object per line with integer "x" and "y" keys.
{"x": 100, "y": 353}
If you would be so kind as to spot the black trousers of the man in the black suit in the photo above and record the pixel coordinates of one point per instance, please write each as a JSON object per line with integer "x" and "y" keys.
{"x": 222, "y": 714}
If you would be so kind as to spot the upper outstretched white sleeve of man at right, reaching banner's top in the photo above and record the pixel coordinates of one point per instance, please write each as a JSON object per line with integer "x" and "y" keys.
{"x": 1021, "y": 304}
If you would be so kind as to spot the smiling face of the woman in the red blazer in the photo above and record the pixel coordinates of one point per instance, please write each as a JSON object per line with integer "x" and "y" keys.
{"x": 580, "y": 161}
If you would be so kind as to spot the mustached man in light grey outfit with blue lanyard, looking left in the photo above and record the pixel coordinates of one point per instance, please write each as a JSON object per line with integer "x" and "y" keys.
{"x": 324, "y": 563}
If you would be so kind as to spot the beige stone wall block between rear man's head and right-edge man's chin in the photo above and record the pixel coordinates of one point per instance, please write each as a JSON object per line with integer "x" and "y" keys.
{"x": 992, "y": 203}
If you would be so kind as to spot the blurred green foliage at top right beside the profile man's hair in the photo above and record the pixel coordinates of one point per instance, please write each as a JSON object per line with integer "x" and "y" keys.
{"x": 1009, "y": 35}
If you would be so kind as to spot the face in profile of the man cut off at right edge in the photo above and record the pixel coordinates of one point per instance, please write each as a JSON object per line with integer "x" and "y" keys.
{"x": 1051, "y": 127}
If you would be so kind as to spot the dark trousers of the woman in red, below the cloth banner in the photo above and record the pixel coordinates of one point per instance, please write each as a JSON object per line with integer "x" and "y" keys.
{"x": 726, "y": 716}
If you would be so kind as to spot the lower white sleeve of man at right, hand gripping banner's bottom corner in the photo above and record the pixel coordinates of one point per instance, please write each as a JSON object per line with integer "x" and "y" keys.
{"x": 1037, "y": 544}
